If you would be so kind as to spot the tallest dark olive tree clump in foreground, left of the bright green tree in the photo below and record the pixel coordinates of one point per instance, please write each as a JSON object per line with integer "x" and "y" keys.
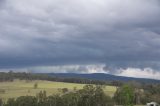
{"x": 92, "y": 95}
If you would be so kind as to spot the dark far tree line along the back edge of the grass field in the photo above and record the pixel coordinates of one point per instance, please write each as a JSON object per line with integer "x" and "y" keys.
{"x": 10, "y": 76}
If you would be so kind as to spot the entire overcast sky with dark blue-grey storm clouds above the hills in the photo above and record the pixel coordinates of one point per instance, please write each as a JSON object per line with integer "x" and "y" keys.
{"x": 81, "y": 36}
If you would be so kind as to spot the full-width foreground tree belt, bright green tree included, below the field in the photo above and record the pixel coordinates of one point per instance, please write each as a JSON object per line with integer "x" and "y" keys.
{"x": 90, "y": 95}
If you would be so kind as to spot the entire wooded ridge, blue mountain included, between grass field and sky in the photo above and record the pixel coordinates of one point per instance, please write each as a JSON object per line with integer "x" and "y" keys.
{"x": 96, "y": 78}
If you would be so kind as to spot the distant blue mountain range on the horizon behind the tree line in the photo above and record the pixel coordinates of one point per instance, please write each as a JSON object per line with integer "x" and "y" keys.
{"x": 102, "y": 76}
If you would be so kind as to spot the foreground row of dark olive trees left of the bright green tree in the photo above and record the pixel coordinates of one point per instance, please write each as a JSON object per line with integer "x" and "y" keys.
{"x": 90, "y": 95}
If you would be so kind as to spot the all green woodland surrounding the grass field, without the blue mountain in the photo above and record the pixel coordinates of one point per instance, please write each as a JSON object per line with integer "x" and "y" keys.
{"x": 127, "y": 94}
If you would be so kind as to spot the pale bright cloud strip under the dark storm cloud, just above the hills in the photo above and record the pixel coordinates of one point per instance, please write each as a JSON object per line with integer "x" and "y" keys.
{"x": 94, "y": 68}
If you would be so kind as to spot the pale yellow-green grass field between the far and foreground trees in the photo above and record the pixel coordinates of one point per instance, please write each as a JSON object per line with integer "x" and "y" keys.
{"x": 22, "y": 88}
